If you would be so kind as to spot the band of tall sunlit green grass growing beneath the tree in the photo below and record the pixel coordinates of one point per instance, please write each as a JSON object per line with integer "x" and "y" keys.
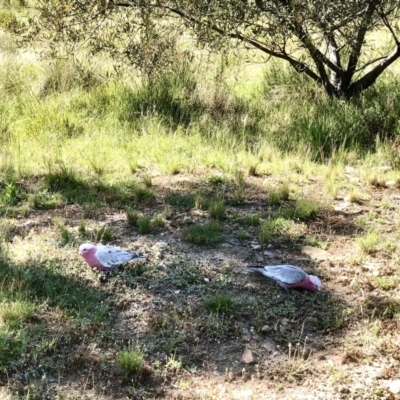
{"x": 196, "y": 114}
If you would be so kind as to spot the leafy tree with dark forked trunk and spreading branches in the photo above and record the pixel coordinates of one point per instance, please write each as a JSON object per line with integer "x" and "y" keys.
{"x": 328, "y": 40}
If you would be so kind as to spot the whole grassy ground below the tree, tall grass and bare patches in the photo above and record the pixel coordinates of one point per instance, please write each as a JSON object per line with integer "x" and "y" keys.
{"x": 78, "y": 151}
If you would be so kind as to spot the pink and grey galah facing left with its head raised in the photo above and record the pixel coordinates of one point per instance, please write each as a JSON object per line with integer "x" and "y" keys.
{"x": 105, "y": 258}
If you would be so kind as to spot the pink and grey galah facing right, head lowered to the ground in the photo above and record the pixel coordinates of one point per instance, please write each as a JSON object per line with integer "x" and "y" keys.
{"x": 289, "y": 276}
